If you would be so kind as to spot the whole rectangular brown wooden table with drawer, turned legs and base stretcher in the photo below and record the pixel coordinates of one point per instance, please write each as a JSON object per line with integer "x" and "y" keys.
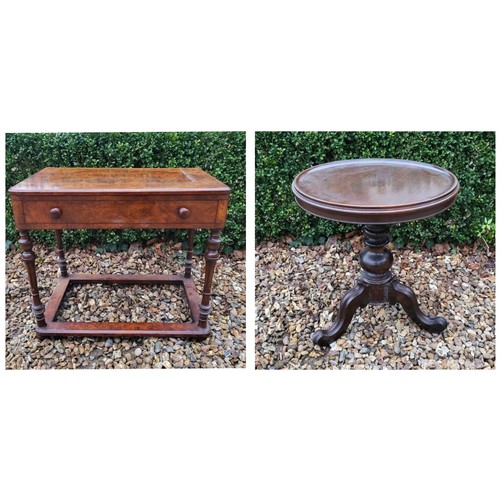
{"x": 117, "y": 198}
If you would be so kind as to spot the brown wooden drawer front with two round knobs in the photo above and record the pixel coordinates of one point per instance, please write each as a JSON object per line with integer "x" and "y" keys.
{"x": 107, "y": 213}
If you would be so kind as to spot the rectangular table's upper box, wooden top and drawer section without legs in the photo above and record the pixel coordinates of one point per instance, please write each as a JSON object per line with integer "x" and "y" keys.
{"x": 114, "y": 198}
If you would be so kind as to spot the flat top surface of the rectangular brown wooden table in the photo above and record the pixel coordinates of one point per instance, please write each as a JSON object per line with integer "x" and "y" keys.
{"x": 77, "y": 180}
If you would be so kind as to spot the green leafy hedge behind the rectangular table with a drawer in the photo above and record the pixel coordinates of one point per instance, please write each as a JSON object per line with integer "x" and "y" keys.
{"x": 222, "y": 154}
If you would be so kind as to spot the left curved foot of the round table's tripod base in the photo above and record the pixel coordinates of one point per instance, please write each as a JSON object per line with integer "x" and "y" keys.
{"x": 354, "y": 298}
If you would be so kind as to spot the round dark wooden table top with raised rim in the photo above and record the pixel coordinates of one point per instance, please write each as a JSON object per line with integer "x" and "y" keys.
{"x": 375, "y": 191}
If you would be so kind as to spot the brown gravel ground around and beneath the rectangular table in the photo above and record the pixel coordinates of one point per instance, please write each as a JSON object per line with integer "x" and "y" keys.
{"x": 225, "y": 348}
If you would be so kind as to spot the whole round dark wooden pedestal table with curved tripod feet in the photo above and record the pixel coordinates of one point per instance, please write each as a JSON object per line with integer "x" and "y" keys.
{"x": 376, "y": 193}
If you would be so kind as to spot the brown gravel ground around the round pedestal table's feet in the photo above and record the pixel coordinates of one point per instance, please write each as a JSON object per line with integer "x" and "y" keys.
{"x": 298, "y": 290}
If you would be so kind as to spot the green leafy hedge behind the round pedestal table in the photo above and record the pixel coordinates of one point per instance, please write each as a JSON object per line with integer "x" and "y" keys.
{"x": 280, "y": 156}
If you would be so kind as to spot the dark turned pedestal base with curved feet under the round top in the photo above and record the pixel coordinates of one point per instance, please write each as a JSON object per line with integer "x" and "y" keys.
{"x": 376, "y": 284}
